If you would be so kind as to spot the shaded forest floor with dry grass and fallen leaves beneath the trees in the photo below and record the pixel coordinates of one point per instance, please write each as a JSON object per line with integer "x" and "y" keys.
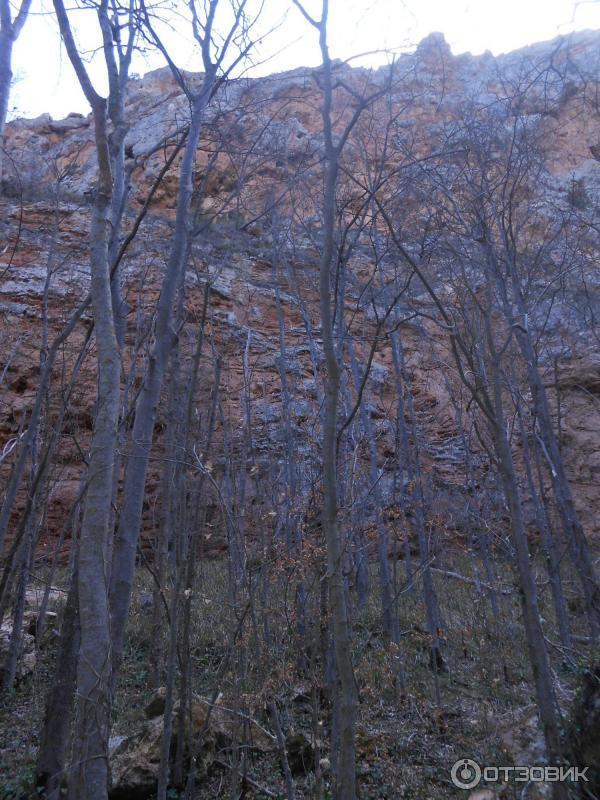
{"x": 406, "y": 744}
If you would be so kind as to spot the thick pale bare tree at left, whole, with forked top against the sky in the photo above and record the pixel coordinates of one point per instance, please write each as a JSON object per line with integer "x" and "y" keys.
{"x": 89, "y": 774}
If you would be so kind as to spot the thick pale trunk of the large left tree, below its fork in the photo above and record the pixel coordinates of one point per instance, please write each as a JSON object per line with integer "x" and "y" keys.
{"x": 90, "y": 768}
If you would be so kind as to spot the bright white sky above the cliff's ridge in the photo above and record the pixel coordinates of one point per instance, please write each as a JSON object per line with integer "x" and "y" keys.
{"x": 45, "y": 80}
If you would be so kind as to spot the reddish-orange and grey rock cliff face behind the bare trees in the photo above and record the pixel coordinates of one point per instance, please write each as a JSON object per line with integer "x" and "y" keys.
{"x": 256, "y": 243}
